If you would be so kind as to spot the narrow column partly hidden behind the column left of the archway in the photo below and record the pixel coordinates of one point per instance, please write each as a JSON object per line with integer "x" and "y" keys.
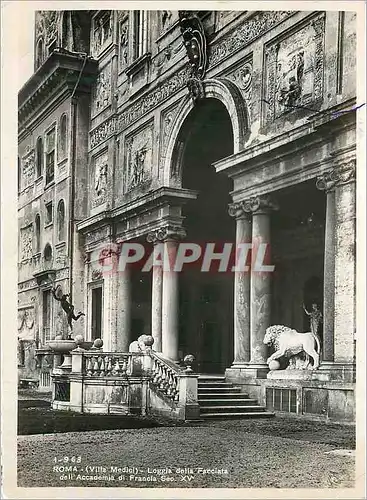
{"x": 157, "y": 287}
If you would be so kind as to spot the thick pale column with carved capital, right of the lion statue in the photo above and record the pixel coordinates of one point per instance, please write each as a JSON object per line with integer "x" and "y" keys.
{"x": 339, "y": 286}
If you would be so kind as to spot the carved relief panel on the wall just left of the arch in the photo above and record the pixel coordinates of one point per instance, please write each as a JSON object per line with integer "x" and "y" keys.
{"x": 138, "y": 158}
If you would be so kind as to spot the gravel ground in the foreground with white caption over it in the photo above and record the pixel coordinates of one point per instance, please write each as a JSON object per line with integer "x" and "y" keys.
{"x": 251, "y": 451}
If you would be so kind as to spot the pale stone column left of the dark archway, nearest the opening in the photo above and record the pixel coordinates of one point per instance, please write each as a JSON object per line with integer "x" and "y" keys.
{"x": 170, "y": 236}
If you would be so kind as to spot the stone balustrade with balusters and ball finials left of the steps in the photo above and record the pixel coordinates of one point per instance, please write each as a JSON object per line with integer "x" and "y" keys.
{"x": 142, "y": 382}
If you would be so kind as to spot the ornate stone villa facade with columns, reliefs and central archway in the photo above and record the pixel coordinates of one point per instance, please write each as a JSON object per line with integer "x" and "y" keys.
{"x": 235, "y": 132}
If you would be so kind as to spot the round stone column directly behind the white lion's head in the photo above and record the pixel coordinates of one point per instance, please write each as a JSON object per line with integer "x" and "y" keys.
{"x": 260, "y": 307}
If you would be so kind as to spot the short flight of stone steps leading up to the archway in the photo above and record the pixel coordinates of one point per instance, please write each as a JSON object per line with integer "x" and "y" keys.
{"x": 221, "y": 399}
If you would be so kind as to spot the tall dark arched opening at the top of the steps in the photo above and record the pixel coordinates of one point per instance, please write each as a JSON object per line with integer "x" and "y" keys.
{"x": 206, "y": 298}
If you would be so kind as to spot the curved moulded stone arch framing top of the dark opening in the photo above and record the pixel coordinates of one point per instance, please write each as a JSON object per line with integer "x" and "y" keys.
{"x": 230, "y": 96}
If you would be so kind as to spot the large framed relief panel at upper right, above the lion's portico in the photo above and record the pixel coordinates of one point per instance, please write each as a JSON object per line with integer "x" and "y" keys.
{"x": 295, "y": 70}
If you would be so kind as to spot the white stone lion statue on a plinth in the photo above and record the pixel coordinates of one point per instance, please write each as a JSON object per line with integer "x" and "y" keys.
{"x": 288, "y": 342}
